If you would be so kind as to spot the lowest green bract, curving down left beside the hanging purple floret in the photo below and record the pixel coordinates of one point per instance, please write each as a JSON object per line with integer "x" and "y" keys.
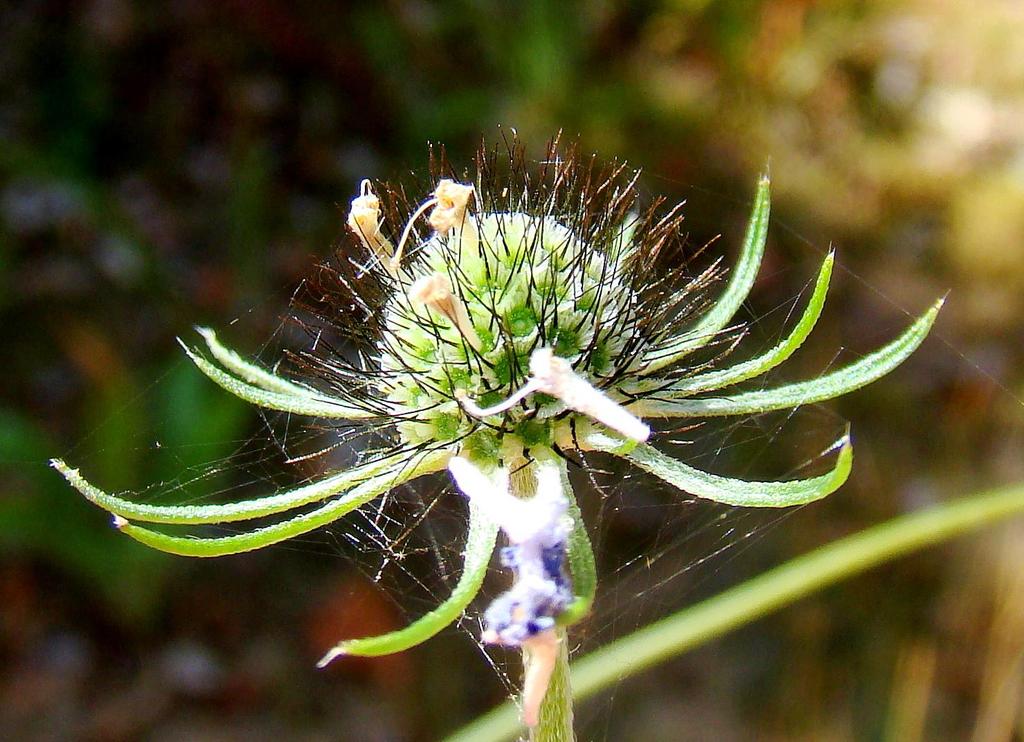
{"x": 480, "y": 546}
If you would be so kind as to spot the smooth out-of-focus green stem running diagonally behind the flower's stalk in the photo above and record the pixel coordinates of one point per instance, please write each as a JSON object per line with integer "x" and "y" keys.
{"x": 758, "y": 597}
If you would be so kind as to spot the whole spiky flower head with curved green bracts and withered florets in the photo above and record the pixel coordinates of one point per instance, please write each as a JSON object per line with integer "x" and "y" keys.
{"x": 503, "y": 321}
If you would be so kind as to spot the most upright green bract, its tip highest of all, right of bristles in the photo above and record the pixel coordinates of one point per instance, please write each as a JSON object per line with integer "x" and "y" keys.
{"x": 736, "y": 293}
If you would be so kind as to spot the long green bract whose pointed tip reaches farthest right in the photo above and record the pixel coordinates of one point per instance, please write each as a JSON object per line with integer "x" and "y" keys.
{"x": 834, "y": 384}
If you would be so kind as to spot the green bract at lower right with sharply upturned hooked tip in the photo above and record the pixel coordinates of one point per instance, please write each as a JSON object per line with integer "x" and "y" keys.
{"x": 728, "y": 491}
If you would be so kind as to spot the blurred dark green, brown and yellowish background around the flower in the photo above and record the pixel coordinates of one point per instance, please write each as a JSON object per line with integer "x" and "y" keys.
{"x": 164, "y": 165}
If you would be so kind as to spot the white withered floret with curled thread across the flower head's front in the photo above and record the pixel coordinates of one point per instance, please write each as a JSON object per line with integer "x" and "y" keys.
{"x": 554, "y": 376}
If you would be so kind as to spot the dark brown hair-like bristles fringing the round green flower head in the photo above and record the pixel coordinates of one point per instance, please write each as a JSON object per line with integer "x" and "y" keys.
{"x": 343, "y": 305}
